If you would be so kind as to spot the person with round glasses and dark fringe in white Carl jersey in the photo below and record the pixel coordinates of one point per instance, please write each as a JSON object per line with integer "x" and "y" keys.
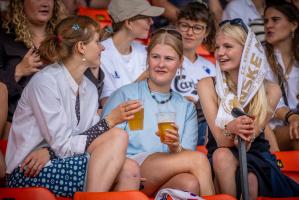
{"x": 196, "y": 24}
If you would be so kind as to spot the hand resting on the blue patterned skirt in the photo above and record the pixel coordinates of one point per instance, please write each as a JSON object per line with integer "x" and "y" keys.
{"x": 35, "y": 162}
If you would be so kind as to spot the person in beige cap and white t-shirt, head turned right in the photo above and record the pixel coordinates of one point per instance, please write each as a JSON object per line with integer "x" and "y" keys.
{"x": 125, "y": 59}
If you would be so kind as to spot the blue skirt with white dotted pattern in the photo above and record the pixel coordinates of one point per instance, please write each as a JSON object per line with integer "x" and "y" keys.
{"x": 63, "y": 177}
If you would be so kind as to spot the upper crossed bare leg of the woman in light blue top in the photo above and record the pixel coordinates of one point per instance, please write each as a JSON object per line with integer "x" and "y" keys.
{"x": 159, "y": 168}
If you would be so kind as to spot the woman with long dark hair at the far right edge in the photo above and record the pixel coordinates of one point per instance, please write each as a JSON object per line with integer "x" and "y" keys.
{"x": 282, "y": 47}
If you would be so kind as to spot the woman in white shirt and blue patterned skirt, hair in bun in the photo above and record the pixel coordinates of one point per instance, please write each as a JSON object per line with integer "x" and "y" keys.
{"x": 56, "y": 118}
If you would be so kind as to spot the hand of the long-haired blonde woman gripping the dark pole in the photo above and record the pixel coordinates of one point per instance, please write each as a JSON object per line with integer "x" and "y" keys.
{"x": 242, "y": 126}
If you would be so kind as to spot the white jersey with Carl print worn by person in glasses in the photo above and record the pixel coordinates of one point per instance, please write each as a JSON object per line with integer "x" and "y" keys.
{"x": 185, "y": 80}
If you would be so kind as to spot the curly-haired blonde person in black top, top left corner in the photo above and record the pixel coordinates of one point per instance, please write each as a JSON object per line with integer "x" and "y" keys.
{"x": 25, "y": 27}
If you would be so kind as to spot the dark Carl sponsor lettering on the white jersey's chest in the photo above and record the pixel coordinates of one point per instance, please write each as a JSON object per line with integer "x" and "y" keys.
{"x": 183, "y": 85}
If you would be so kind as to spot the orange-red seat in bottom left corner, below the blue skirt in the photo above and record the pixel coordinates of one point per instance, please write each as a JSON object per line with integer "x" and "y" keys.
{"x": 31, "y": 193}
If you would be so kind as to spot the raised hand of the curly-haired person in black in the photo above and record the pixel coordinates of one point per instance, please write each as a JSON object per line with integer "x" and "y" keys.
{"x": 30, "y": 64}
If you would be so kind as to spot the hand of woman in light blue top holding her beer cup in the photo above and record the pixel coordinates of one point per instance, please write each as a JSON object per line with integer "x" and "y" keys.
{"x": 172, "y": 139}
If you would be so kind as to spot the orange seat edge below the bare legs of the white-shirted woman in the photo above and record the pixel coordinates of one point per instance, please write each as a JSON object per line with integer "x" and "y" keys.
{"x": 126, "y": 195}
